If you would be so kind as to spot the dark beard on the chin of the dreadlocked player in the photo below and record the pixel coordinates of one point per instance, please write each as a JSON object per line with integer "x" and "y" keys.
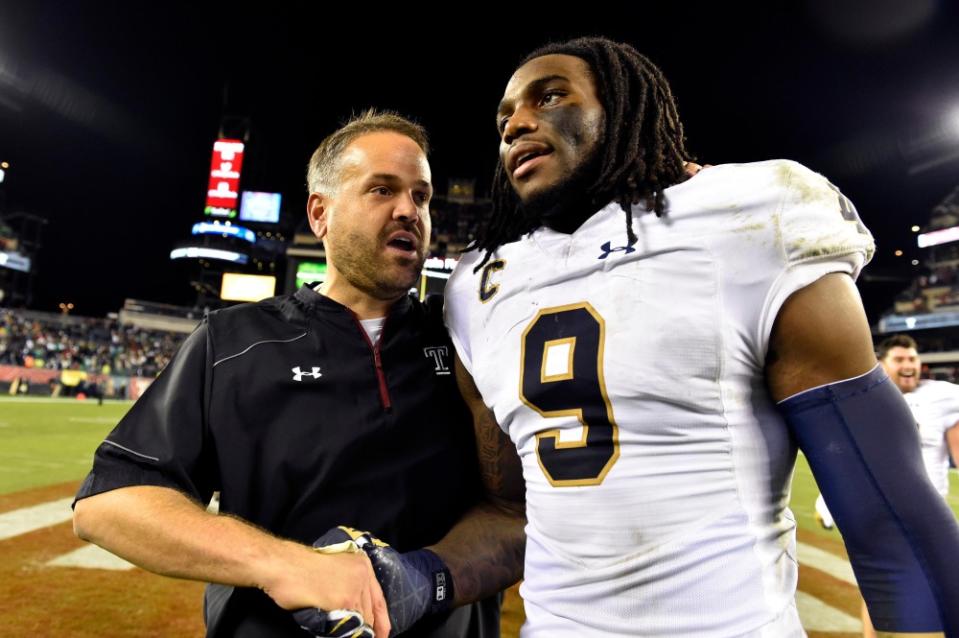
{"x": 568, "y": 203}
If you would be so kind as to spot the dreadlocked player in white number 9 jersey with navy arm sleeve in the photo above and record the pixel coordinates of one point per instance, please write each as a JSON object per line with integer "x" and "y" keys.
{"x": 636, "y": 360}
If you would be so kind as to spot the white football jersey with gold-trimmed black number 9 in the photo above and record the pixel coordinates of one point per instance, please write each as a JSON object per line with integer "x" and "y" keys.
{"x": 630, "y": 379}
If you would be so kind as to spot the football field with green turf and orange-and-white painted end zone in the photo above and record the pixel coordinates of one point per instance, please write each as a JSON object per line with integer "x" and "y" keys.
{"x": 52, "y": 584}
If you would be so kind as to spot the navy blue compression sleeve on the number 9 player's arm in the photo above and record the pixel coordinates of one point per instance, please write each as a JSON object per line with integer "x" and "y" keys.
{"x": 862, "y": 444}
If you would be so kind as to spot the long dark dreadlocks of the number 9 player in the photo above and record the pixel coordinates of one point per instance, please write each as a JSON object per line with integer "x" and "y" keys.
{"x": 642, "y": 152}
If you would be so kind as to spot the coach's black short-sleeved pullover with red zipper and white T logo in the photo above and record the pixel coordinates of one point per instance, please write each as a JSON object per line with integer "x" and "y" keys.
{"x": 287, "y": 410}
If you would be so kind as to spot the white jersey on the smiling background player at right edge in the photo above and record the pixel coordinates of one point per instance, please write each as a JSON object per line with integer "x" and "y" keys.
{"x": 935, "y": 406}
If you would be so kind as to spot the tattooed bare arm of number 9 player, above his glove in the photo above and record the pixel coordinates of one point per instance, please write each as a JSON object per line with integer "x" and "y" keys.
{"x": 484, "y": 550}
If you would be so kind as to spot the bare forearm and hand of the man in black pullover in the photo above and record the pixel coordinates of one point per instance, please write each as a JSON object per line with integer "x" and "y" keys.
{"x": 166, "y": 532}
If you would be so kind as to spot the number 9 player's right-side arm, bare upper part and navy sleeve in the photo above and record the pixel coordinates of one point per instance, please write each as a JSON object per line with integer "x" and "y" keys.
{"x": 863, "y": 448}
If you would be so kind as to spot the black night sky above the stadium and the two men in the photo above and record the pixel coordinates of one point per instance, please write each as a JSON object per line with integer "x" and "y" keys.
{"x": 108, "y": 111}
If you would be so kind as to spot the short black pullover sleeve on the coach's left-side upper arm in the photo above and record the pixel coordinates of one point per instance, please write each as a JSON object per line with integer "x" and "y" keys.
{"x": 162, "y": 440}
